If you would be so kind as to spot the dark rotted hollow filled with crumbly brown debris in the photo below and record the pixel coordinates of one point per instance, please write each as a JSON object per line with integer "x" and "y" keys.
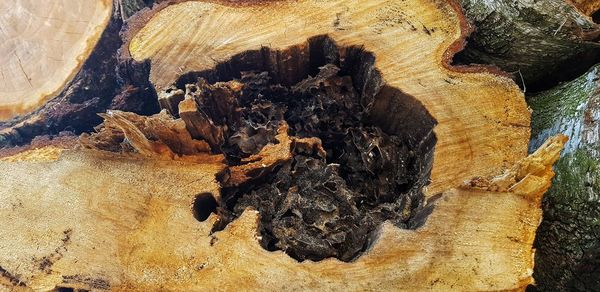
{"x": 378, "y": 145}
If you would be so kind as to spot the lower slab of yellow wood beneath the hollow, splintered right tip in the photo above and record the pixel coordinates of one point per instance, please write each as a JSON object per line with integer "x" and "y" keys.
{"x": 102, "y": 221}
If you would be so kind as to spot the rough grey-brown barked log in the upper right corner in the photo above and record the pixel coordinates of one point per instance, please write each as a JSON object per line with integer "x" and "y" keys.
{"x": 544, "y": 41}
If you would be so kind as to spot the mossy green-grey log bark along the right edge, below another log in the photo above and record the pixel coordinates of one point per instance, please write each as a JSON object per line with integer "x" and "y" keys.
{"x": 568, "y": 240}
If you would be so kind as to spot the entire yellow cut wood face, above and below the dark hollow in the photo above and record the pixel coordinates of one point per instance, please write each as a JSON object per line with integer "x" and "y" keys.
{"x": 124, "y": 222}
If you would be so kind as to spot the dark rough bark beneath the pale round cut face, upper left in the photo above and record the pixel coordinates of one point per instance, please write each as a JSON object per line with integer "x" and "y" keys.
{"x": 105, "y": 81}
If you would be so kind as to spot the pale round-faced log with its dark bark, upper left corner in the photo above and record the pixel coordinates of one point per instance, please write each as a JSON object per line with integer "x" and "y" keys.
{"x": 61, "y": 68}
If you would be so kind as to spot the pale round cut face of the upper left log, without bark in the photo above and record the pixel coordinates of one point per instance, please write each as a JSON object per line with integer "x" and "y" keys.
{"x": 43, "y": 47}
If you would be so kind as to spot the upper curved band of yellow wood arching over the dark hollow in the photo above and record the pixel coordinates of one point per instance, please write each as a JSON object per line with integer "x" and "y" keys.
{"x": 463, "y": 130}
